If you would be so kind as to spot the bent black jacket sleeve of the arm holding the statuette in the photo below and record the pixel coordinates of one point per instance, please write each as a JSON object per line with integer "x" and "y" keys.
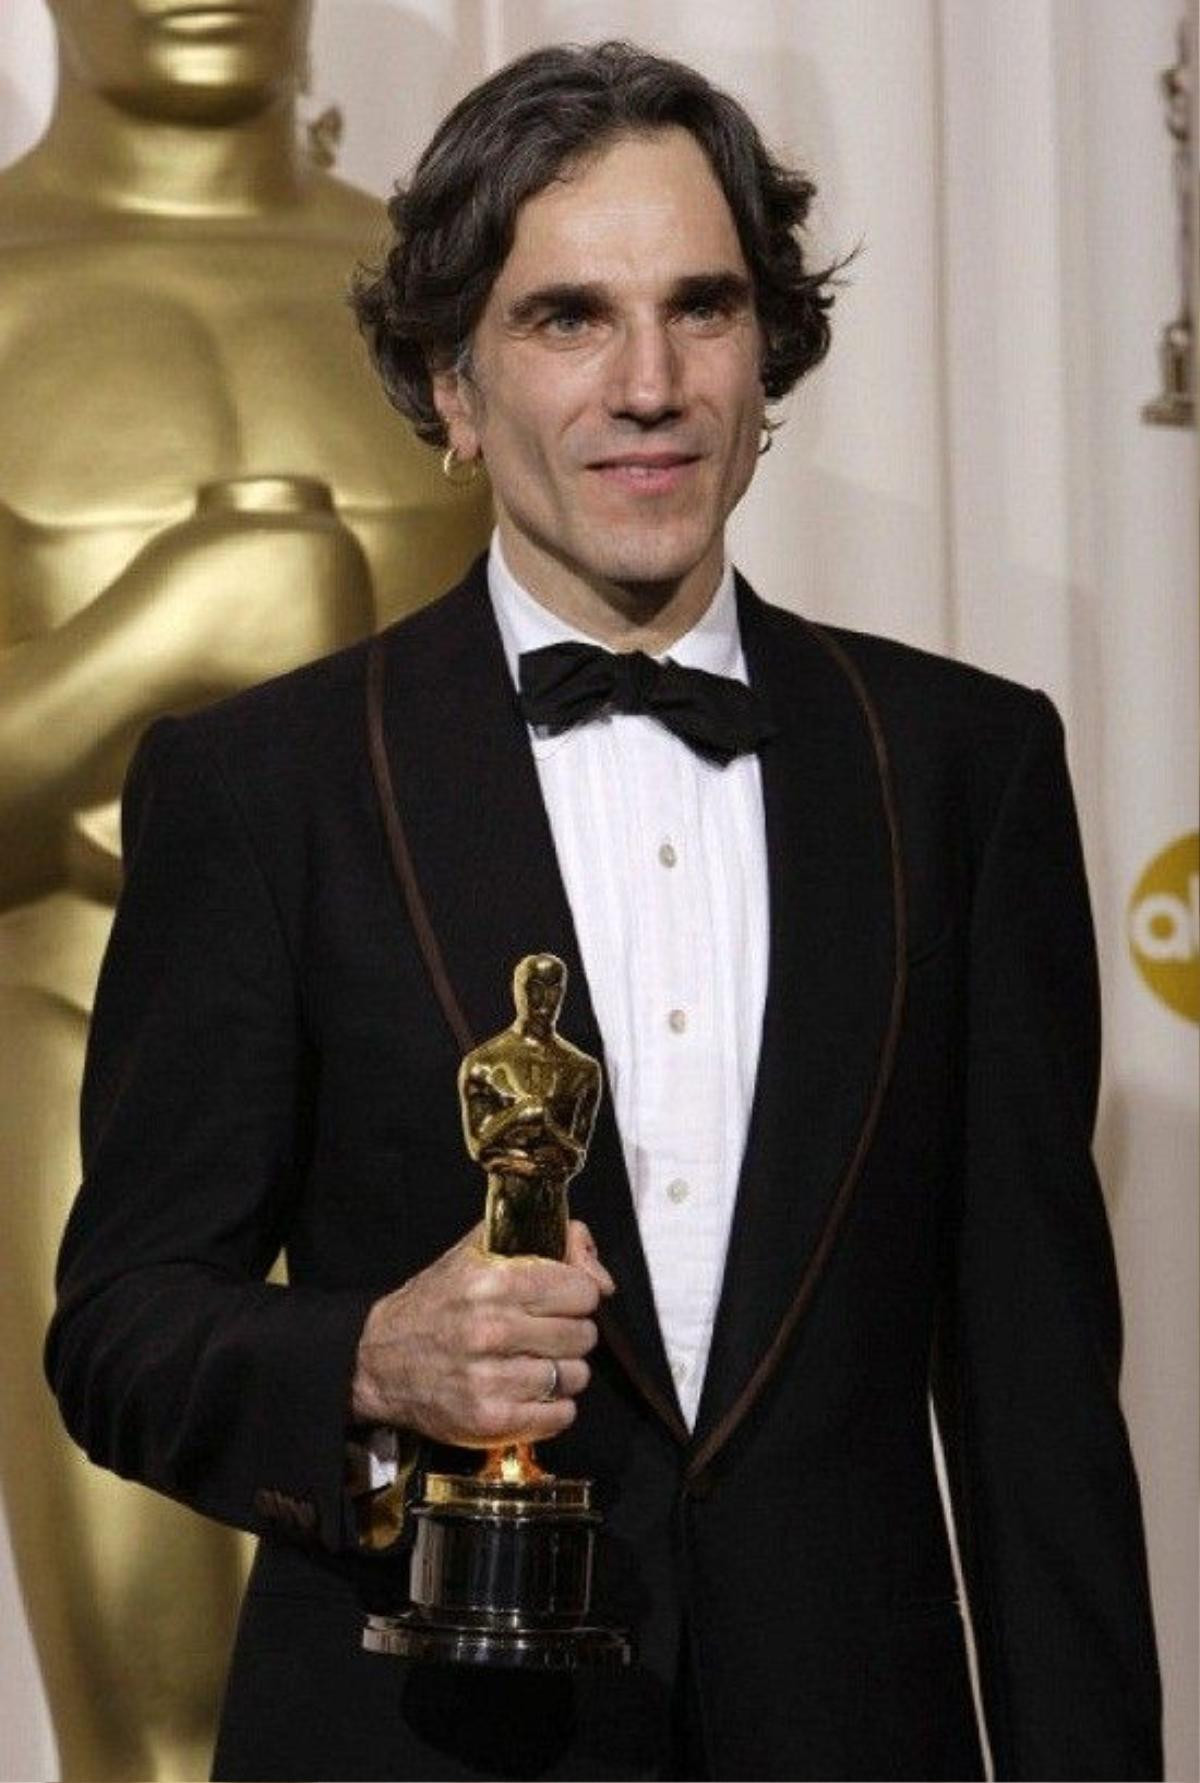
{"x": 176, "y": 1363}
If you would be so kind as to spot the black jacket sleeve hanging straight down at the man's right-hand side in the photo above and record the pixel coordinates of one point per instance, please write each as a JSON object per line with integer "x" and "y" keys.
{"x": 1042, "y": 1481}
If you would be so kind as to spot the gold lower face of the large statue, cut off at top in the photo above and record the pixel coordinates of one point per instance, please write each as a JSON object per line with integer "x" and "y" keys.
{"x": 185, "y": 60}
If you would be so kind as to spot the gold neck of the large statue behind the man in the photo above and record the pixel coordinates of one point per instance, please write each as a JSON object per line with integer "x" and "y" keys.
{"x": 122, "y": 161}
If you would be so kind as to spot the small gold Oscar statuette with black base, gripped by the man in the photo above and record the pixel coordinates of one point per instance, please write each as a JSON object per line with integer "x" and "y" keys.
{"x": 502, "y": 1563}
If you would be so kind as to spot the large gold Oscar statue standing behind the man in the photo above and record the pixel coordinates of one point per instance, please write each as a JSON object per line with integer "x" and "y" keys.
{"x": 201, "y": 488}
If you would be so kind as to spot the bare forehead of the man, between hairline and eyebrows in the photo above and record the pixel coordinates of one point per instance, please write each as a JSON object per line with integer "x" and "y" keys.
{"x": 645, "y": 210}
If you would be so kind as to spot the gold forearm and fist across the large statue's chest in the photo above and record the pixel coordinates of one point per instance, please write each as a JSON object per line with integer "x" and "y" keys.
{"x": 218, "y": 602}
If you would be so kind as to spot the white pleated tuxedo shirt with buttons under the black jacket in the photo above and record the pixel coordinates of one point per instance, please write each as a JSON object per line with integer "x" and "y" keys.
{"x": 664, "y": 860}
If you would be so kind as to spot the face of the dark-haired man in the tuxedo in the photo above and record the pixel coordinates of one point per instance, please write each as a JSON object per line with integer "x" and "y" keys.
{"x": 614, "y": 386}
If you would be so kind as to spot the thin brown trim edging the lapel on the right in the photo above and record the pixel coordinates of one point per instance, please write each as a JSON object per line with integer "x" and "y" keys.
{"x": 702, "y": 1458}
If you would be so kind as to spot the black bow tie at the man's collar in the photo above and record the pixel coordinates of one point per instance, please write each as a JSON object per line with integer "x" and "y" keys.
{"x": 566, "y": 684}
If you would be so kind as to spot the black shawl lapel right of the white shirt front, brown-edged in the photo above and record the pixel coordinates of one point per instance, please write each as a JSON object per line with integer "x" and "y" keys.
{"x": 834, "y": 1001}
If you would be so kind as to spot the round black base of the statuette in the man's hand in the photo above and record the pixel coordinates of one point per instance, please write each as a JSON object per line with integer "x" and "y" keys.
{"x": 502, "y": 1575}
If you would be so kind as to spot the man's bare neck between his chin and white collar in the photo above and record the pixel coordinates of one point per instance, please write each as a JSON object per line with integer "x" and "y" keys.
{"x": 623, "y": 616}
